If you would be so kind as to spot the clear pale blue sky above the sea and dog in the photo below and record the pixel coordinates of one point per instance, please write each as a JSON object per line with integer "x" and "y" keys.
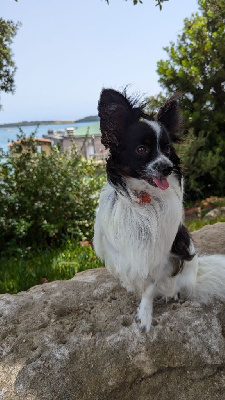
{"x": 67, "y": 51}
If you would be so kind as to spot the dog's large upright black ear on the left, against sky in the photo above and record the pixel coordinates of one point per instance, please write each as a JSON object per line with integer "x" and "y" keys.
{"x": 116, "y": 113}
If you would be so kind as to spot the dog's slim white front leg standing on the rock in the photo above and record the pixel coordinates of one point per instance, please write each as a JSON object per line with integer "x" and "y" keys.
{"x": 144, "y": 312}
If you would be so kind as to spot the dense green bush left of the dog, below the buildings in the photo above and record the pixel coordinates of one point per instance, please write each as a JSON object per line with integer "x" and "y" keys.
{"x": 44, "y": 199}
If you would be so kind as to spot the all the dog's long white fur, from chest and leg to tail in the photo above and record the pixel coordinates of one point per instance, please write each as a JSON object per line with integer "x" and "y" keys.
{"x": 134, "y": 240}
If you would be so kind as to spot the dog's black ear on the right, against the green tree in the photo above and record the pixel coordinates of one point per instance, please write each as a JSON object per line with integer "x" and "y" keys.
{"x": 169, "y": 116}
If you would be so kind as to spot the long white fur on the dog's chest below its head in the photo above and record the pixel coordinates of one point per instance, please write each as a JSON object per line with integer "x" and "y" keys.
{"x": 134, "y": 240}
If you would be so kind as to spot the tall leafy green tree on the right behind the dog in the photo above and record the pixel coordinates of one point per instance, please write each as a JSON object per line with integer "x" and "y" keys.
{"x": 196, "y": 66}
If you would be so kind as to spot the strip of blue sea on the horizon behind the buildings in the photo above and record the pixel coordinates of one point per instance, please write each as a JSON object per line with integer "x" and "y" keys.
{"x": 8, "y": 135}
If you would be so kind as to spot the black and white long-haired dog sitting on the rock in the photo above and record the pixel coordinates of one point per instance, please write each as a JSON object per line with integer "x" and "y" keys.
{"x": 139, "y": 231}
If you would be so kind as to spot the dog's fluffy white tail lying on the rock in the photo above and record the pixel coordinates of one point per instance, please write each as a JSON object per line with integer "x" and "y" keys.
{"x": 210, "y": 278}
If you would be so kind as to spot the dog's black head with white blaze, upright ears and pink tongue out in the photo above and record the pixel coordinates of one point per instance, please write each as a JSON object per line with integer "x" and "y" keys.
{"x": 139, "y": 147}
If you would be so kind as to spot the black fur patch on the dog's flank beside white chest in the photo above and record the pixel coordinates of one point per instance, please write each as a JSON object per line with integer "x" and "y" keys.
{"x": 181, "y": 249}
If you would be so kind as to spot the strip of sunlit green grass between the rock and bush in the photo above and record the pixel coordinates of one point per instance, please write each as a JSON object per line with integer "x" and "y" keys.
{"x": 33, "y": 267}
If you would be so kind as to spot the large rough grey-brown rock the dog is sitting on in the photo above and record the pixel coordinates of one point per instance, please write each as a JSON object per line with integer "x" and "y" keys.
{"x": 77, "y": 340}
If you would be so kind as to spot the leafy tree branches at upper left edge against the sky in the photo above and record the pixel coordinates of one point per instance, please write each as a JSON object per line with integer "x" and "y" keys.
{"x": 8, "y": 30}
